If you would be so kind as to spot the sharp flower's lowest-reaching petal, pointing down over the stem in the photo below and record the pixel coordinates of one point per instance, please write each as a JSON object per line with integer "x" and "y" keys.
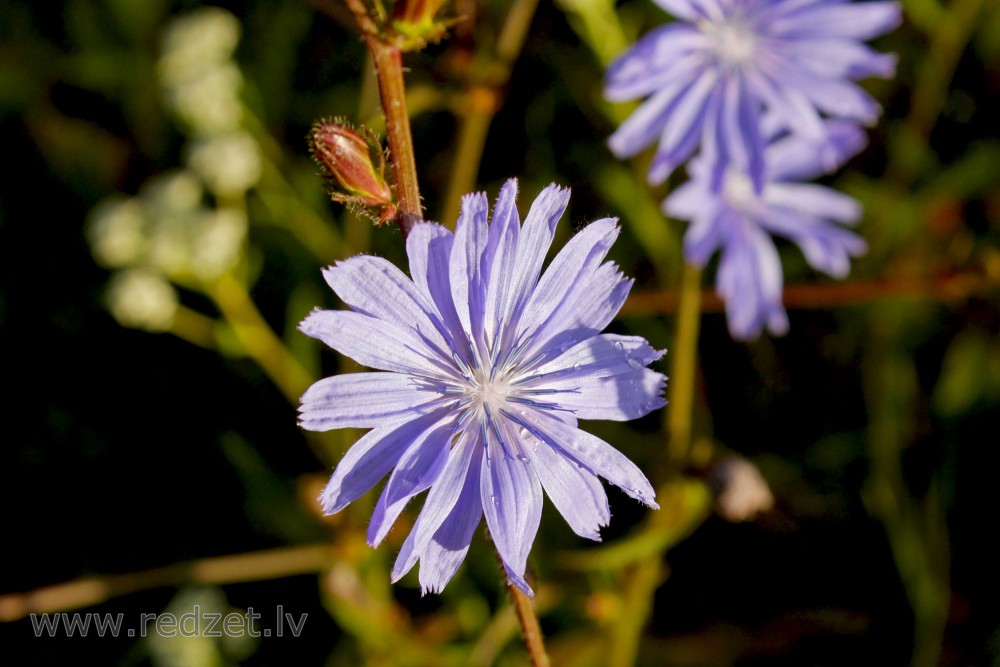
{"x": 512, "y": 502}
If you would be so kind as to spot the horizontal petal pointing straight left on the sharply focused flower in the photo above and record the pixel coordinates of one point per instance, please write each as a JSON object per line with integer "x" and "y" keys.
{"x": 363, "y": 400}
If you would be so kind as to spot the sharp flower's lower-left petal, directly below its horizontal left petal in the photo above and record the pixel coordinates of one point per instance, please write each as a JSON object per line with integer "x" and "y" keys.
{"x": 370, "y": 459}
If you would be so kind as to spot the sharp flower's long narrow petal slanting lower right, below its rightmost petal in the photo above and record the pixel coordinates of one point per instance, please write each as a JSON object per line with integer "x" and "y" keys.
{"x": 598, "y": 456}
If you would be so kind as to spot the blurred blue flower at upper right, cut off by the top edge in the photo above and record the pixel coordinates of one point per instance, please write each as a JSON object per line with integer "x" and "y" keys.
{"x": 711, "y": 76}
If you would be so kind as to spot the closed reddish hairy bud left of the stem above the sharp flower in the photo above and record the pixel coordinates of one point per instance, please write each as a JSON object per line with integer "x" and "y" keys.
{"x": 346, "y": 159}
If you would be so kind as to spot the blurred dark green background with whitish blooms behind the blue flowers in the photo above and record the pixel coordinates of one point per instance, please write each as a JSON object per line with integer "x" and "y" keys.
{"x": 162, "y": 230}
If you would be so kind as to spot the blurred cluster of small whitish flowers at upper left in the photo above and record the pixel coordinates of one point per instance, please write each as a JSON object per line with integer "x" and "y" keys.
{"x": 169, "y": 233}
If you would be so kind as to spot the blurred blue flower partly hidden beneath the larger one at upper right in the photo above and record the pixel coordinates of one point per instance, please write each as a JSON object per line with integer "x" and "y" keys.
{"x": 739, "y": 221}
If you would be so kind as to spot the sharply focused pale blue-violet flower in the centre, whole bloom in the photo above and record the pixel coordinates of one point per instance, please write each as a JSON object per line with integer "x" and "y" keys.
{"x": 484, "y": 366}
